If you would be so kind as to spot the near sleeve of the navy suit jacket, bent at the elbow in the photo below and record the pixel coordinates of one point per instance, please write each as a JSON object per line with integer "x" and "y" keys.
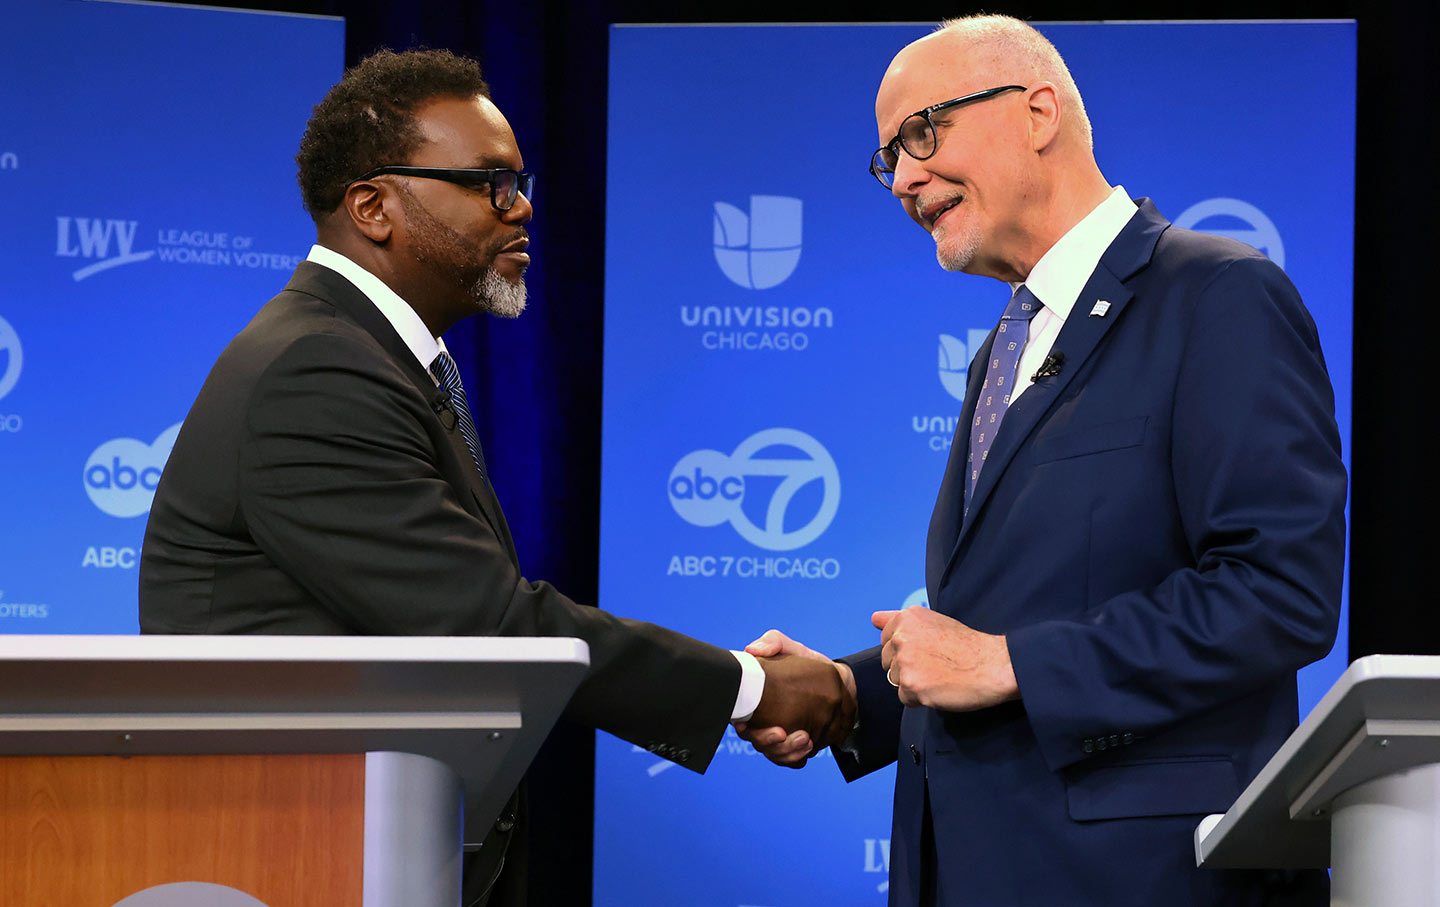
{"x": 1261, "y": 490}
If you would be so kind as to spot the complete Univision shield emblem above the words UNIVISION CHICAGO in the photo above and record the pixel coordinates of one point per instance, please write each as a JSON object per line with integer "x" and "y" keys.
{"x": 760, "y": 250}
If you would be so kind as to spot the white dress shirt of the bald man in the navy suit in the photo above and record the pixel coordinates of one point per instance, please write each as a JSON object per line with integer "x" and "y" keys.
{"x": 1062, "y": 273}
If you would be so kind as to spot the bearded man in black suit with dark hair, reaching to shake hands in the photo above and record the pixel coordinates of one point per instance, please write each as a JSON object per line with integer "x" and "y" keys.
{"x": 329, "y": 479}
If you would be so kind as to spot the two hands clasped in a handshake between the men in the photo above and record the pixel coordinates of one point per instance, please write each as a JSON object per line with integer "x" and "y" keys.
{"x": 809, "y": 702}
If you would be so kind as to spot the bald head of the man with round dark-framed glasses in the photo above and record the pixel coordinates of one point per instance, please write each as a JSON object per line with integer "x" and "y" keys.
{"x": 999, "y": 178}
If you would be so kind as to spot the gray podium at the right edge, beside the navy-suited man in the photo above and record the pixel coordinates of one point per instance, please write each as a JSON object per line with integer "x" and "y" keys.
{"x": 1356, "y": 788}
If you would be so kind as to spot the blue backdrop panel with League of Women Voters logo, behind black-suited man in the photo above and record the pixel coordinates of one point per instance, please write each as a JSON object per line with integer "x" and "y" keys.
{"x": 149, "y": 173}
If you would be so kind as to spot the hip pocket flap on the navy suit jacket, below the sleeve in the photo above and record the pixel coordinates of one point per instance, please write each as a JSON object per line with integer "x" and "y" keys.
{"x": 1154, "y": 790}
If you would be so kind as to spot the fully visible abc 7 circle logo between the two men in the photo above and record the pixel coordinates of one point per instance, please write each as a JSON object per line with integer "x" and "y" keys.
{"x": 709, "y": 489}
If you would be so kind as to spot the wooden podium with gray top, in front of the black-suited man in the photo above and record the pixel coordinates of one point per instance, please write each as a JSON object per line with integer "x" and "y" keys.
{"x": 299, "y": 771}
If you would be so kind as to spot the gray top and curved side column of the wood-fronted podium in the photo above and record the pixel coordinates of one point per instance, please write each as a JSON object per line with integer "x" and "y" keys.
{"x": 447, "y": 726}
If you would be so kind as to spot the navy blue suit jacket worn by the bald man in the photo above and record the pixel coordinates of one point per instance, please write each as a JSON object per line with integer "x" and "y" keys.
{"x": 1160, "y": 533}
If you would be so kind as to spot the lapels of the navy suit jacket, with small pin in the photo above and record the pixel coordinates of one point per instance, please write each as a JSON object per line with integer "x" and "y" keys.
{"x": 1079, "y": 339}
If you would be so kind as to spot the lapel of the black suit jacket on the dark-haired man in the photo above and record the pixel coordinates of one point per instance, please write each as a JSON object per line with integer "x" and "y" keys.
{"x": 330, "y": 287}
